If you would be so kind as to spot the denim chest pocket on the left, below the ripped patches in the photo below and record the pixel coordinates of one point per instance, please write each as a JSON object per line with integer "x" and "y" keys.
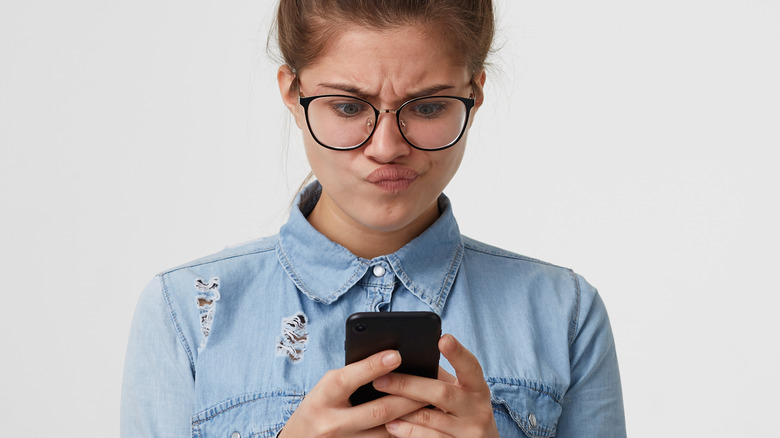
{"x": 257, "y": 415}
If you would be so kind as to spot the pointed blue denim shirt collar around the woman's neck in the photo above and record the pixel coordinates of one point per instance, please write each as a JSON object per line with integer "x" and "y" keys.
{"x": 324, "y": 270}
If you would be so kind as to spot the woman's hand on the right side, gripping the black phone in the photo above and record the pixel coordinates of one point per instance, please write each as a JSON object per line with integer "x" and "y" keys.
{"x": 463, "y": 402}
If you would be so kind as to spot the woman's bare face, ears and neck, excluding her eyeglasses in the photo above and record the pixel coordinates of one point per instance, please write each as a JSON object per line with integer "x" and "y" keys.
{"x": 385, "y": 185}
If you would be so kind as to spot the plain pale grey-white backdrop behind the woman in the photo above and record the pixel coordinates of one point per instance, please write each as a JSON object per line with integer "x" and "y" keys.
{"x": 634, "y": 141}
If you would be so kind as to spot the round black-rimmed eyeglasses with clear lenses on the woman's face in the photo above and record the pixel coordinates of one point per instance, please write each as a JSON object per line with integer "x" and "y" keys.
{"x": 428, "y": 123}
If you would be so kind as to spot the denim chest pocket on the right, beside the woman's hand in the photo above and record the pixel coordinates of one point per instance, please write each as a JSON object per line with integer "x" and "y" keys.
{"x": 523, "y": 411}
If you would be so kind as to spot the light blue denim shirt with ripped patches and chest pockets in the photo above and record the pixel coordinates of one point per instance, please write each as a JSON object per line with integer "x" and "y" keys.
{"x": 227, "y": 346}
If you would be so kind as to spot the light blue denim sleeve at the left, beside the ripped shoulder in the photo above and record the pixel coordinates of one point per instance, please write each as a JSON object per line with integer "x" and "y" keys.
{"x": 158, "y": 385}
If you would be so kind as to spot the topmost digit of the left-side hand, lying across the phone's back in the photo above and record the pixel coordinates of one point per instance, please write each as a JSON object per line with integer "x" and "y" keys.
{"x": 341, "y": 383}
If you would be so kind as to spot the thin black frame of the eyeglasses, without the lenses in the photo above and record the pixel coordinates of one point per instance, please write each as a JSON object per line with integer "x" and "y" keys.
{"x": 304, "y": 101}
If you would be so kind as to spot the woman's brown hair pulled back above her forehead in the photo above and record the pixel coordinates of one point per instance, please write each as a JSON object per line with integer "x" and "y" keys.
{"x": 304, "y": 27}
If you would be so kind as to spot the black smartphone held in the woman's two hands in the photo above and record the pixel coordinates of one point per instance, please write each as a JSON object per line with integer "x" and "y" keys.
{"x": 414, "y": 334}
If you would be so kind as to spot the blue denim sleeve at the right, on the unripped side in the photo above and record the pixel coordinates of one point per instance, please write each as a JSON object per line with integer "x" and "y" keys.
{"x": 593, "y": 404}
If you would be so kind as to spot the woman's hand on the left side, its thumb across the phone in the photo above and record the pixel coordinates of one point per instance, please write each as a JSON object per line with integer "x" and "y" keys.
{"x": 327, "y": 412}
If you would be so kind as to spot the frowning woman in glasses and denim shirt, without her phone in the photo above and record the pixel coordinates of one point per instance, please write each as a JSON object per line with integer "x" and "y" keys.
{"x": 384, "y": 94}
